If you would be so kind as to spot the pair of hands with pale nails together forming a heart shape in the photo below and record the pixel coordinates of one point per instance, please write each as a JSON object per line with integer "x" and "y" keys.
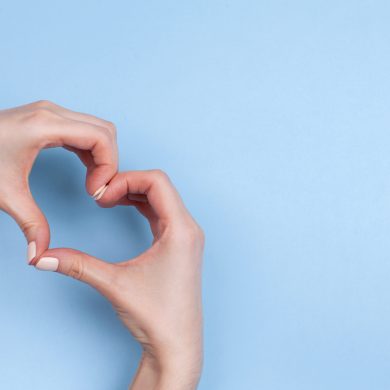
{"x": 157, "y": 295}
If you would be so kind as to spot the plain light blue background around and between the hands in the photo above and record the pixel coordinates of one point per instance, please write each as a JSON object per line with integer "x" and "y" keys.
{"x": 272, "y": 118}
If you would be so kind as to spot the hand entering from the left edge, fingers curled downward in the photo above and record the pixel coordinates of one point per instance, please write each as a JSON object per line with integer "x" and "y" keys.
{"x": 24, "y": 131}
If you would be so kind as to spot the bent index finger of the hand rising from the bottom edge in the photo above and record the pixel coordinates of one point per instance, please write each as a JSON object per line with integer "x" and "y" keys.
{"x": 153, "y": 186}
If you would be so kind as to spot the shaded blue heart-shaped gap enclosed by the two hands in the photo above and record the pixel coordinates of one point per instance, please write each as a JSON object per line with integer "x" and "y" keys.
{"x": 57, "y": 183}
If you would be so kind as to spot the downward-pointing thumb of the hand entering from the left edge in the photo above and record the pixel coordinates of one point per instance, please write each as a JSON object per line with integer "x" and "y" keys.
{"x": 32, "y": 222}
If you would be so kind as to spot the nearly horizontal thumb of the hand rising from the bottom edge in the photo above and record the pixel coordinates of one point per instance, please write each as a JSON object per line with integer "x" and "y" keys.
{"x": 78, "y": 265}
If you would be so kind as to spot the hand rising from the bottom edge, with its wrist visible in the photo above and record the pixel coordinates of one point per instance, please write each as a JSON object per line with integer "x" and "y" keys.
{"x": 157, "y": 295}
